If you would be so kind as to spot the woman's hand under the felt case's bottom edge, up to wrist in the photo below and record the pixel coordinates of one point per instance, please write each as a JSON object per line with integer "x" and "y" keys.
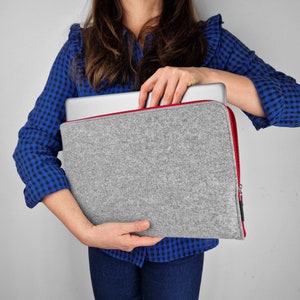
{"x": 120, "y": 236}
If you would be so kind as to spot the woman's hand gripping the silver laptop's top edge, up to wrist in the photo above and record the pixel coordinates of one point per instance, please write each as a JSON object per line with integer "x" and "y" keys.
{"x": 169, "y": 85}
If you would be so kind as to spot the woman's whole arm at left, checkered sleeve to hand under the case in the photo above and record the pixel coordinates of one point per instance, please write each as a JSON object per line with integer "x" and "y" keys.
{"x": 38, "y": 165}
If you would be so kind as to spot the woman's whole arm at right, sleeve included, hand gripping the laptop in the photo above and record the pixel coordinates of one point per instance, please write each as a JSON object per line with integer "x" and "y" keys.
{"x": 267, "y": 96}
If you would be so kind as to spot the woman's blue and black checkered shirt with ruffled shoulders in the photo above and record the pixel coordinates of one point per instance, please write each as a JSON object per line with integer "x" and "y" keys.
{"x": 40, "y": 140}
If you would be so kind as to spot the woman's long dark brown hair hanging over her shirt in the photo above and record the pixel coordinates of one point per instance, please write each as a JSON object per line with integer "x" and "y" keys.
{"x": 176, "y": 40}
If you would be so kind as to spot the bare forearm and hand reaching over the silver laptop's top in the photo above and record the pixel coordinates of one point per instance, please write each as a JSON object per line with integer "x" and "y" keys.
{"x": 171, "y": 84}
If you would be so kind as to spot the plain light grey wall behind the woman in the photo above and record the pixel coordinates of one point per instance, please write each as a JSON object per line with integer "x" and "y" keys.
{"x": 39, "y": 257}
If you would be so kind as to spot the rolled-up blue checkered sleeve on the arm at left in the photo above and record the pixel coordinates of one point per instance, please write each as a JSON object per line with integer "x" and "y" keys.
{"x": 39, "y": 139}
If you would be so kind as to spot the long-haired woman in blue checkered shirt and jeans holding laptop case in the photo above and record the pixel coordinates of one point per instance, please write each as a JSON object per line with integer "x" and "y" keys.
{"x": 151, "y": 45}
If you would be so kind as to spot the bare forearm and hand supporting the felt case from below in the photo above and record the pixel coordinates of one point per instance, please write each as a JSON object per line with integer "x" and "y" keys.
{"x": 106, "y": 236}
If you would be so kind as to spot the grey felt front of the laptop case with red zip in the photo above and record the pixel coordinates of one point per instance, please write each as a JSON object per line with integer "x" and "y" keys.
{"x": 174, "y": 166}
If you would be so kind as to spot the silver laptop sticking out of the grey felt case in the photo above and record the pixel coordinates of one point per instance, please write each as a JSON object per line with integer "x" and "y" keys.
{"x": 91, "y": 106}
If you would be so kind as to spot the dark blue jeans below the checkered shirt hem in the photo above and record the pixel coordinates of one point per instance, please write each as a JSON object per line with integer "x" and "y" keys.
{"x": 114, "y": 279}
